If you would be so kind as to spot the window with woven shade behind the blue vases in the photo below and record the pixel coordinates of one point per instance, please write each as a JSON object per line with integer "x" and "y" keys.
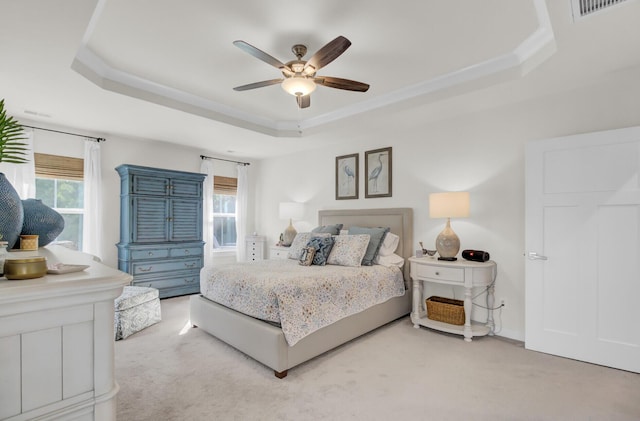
{"x": 60, "y": 185}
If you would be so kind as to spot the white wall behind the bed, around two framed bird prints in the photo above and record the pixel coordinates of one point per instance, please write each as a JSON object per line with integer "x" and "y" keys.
{"x": 482, "y": 153}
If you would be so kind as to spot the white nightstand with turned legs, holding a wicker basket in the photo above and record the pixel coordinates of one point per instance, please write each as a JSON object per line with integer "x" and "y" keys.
{"x": 464, "y": 273}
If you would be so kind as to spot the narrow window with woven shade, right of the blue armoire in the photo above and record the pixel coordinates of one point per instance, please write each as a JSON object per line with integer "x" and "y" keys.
{"x": 224, "y": 212}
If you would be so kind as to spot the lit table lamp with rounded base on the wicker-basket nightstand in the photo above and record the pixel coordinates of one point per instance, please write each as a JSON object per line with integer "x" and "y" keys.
{"x": 448, "y": 205}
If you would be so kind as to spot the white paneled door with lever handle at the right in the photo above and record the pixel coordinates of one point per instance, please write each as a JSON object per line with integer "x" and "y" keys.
{"x": 583, "y": 247}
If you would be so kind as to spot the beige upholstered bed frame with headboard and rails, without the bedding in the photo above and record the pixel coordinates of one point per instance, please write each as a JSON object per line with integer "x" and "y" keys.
{"x": 266, "y": 342}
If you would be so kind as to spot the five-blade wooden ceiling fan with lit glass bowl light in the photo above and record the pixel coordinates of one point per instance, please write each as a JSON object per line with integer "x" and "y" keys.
{"x": 300, "y": 77}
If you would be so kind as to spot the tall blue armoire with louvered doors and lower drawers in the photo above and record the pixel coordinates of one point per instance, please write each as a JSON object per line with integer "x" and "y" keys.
{"x": 161, "y": 228}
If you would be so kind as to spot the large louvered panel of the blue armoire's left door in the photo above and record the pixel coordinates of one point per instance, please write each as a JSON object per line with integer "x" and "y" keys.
{"x": 149, "y": 219}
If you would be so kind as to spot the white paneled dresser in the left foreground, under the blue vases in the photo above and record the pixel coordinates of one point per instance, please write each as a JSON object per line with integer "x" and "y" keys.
{"x": 57, "y": 341}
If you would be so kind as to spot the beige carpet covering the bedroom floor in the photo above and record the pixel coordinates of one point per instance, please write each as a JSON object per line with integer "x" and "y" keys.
{"x": 397, "y": 372}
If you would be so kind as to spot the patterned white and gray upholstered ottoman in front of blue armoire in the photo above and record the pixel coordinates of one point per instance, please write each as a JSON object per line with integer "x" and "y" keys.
{"x": 136, "y": 309}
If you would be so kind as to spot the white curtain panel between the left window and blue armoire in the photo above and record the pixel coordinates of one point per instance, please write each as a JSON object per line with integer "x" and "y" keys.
{"x": 92, "y": 225}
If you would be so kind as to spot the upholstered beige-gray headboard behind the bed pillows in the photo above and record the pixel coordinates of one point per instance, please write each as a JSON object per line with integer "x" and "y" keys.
{"x": 399, "y": 220}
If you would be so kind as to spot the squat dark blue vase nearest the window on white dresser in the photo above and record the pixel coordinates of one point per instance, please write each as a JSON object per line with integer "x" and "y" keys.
{"x": 41, "y": 220}
